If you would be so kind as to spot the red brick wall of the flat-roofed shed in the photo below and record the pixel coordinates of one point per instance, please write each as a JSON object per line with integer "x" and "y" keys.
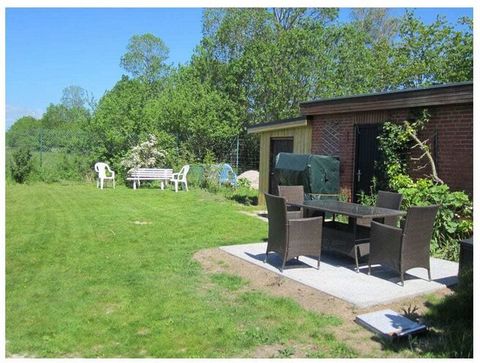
{"x": 452, "y": 124}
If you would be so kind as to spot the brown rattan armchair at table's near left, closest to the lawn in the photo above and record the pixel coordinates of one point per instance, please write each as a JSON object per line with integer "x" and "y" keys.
{"x": 291, "y": 237}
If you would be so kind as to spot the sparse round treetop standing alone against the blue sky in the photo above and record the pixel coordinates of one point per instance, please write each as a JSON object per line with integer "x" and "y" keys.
{"x": 145, "y": 57}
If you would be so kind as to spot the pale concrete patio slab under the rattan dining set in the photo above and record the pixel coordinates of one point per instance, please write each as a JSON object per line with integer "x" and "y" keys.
{"x": 337, "y": 276}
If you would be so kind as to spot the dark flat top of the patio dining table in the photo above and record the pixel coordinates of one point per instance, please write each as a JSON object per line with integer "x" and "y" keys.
{"x": 348, "y": 209}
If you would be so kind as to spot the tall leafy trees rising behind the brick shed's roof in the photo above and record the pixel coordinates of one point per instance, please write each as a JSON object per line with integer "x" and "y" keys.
{"x": 268, "y": 61}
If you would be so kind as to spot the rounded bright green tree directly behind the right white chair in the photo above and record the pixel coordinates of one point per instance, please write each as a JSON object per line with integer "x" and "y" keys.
{"x": 200, "y": 117}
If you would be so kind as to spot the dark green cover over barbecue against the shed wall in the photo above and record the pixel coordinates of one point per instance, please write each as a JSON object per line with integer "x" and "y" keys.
{"x": 319, "y": 174}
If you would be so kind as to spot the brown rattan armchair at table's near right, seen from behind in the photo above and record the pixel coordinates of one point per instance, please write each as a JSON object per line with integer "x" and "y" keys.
{"x": 403, "y": 249}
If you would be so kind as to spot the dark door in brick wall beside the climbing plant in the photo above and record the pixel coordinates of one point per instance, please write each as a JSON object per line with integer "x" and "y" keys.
{"x": 368, "y": 160}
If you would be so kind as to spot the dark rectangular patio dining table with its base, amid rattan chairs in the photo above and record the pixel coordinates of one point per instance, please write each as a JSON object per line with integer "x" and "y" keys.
{"x": 348, "y": 239}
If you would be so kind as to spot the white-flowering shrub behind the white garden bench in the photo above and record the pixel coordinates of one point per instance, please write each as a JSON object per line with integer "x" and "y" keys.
{"x": 148, "y": 154}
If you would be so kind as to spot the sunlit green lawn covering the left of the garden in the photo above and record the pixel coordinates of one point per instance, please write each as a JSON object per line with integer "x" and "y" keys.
{"x": 110, "y": 273}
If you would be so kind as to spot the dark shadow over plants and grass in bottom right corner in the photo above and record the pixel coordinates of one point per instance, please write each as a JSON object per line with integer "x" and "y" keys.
{"x": 450, "y": 326}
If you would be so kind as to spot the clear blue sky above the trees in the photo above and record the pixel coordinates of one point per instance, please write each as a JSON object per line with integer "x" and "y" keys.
{"x": 50, "y": 49}
